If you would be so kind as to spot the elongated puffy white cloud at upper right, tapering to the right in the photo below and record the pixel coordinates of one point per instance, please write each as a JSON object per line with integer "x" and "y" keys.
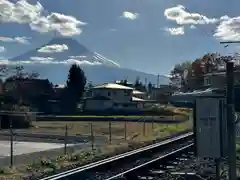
{"x": 182, "y": 17}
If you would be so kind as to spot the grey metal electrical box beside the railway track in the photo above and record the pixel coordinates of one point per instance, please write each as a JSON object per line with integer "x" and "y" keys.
{"x": 210, "y": 127}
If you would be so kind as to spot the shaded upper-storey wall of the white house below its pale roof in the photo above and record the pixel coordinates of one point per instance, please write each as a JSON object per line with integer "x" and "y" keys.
{"x": 118, "y": 95}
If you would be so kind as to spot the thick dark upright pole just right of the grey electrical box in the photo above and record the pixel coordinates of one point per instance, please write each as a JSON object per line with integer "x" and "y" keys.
{"x": 231, "y": 122}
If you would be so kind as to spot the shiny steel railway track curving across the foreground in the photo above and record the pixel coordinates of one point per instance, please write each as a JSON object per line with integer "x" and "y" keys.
{"x": 129, "y": 164}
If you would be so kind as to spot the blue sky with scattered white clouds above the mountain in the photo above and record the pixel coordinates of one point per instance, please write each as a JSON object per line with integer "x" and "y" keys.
{"x": 147, "y": 35}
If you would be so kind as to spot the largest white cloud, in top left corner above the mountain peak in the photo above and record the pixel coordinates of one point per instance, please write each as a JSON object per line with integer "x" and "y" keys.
{"x": 23, "y": 12}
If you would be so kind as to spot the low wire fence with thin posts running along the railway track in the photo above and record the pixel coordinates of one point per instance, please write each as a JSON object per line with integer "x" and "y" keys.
{"x": 49, "y": 139}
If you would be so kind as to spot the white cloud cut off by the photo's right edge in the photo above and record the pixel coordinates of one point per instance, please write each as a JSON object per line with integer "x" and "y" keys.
{"x": 228, "y": 29}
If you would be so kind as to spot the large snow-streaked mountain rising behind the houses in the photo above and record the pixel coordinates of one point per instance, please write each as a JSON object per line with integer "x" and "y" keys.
{"x": 53, "y": 60}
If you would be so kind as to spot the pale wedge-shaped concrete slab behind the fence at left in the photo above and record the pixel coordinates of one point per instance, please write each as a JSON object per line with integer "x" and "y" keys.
{"x": 26, "y": 147}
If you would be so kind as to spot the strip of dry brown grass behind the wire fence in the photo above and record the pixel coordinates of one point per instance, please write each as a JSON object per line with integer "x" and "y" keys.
{"x": 117, "y": 129}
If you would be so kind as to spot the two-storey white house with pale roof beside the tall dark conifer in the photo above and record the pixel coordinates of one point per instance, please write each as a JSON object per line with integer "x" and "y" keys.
{"x": 112, "y": 96}
